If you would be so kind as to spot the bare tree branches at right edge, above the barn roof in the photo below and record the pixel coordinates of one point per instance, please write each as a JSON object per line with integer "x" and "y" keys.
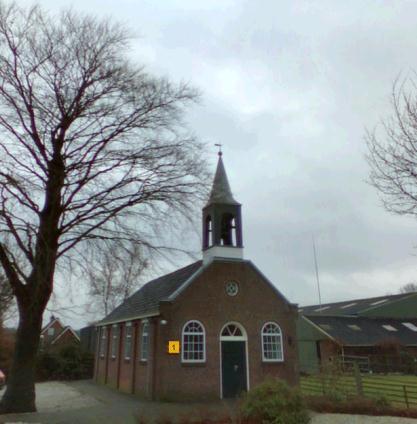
{"x": 392, "y": 152}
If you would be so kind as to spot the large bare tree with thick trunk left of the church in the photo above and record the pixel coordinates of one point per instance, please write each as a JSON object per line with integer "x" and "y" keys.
{"x": 91, "y": 148}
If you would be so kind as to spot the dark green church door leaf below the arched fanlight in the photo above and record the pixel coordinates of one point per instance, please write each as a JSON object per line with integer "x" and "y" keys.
{"x": 233, "y": 368}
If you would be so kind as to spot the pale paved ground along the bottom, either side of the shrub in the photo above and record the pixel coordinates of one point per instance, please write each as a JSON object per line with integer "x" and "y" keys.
{"x": 84, "y": 402}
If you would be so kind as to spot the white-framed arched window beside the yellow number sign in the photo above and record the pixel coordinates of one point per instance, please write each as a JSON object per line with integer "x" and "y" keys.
{"x": 193, "y": 342}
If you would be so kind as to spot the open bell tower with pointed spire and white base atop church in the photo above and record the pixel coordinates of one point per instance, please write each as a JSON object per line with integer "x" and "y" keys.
{"x": 222, "y": 220}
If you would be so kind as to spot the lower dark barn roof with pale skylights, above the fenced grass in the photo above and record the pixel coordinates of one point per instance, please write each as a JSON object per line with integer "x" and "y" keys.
{"x": 366, "y": 331}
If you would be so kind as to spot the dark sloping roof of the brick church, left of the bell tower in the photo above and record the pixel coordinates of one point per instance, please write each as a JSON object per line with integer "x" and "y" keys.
{"x": 146, "y": 299}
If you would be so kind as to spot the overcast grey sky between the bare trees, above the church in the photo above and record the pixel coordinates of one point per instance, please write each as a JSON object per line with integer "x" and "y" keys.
{"x": 289, "y": 88}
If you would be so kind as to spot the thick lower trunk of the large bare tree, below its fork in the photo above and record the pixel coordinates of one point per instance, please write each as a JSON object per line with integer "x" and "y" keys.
{"x": 20, "y": 392}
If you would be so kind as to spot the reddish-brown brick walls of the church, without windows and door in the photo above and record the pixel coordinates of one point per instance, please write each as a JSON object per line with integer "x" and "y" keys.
{"x": 164, "y": 376}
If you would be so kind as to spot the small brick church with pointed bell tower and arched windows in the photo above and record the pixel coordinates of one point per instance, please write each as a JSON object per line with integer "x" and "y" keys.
{"x": 210, "y": 330}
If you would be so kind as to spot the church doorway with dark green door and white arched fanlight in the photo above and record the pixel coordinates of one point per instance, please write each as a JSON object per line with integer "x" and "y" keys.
{"x": 233, "y": 355}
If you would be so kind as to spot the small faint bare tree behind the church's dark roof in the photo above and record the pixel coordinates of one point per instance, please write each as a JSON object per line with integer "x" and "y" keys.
{"x": 112, "y": 274}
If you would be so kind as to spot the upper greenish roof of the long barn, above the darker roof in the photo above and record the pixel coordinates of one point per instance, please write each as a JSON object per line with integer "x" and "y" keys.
{"x": 352, "y": 307}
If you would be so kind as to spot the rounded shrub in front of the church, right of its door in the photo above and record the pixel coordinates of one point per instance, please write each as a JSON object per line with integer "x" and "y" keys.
{"x": 275, "y": 402}
